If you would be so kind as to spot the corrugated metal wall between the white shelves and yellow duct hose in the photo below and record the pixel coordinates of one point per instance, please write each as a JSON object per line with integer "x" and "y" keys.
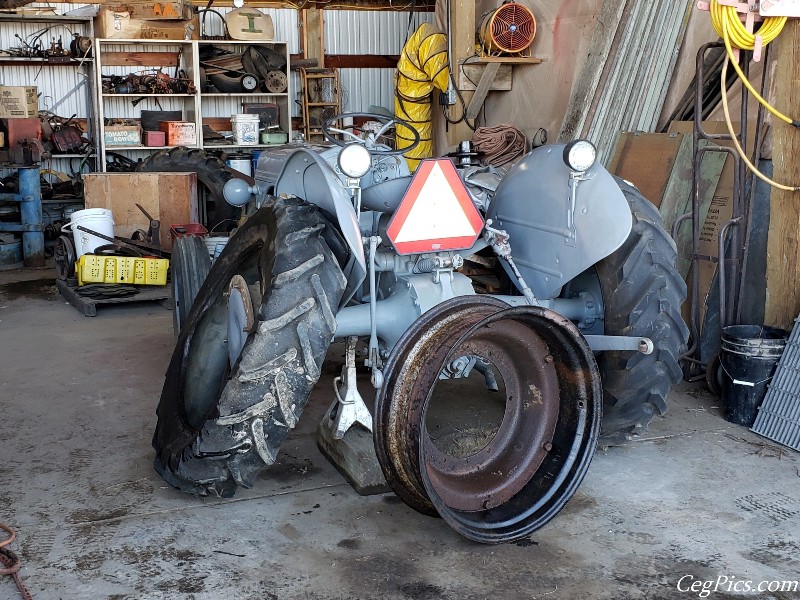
{"x": 379, "y": 32}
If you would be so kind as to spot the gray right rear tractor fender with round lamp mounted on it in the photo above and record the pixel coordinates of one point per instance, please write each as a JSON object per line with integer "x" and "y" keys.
{"x": 532, "y": 203}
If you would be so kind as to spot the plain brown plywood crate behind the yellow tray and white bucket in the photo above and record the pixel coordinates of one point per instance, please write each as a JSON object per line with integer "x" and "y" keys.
{"x": 168, "y": 197}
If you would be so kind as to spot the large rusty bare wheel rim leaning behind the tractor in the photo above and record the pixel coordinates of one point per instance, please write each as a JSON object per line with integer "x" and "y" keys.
{"x": 534, "y": 462}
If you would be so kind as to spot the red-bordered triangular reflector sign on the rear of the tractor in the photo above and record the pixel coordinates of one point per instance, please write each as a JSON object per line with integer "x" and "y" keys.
{"x": 436, "y": 213}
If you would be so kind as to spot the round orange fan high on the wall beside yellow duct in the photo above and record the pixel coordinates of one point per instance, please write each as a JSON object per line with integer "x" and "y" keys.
{"x": 509, "y": 29}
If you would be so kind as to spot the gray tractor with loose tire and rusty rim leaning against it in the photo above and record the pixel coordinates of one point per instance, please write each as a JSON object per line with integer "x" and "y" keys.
{"x": 342, "y": 242}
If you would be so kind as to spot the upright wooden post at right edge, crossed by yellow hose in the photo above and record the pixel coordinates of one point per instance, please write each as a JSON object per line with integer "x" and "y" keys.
{"x": 783, "y": 247}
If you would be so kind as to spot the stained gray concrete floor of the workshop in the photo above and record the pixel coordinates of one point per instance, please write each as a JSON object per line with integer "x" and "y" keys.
{"x": 695, "y": 497}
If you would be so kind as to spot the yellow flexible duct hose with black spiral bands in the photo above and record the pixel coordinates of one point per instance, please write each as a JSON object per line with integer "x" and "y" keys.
{"x": 422, "y": 66}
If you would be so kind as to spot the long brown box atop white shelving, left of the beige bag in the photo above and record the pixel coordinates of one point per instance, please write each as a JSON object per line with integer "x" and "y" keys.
{"x": 117, "y": 24}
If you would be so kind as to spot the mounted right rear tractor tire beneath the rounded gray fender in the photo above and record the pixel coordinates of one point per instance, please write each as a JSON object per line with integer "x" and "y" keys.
{"x": 642, "y": 293}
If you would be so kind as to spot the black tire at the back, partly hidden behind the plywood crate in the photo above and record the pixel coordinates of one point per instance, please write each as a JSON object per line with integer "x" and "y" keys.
{"x": 211, "y": 172}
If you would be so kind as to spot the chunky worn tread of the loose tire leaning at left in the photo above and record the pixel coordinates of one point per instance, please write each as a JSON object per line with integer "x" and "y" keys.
{"x": 267, "y": 389}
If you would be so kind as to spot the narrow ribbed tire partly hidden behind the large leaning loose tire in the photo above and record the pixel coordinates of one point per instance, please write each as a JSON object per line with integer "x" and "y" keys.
{"x": 189, "y": 264}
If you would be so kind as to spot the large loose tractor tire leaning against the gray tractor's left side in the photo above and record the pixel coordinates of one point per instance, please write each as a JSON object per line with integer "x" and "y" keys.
{"x": 218, "y": 425}
